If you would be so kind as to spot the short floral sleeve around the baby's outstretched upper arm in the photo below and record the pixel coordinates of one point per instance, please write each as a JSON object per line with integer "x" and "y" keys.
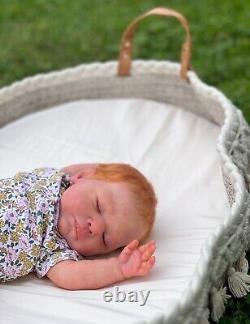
{"x": 48, "y": 259}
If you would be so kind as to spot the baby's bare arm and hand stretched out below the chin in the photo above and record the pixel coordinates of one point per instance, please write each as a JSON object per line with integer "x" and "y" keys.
{"x": 93, "y": 274}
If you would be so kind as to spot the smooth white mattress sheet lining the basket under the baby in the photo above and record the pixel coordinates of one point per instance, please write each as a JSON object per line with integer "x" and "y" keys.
{"x": 175, "y": 149}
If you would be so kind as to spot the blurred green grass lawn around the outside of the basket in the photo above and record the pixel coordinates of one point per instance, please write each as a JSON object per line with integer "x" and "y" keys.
{"x": 44, "y": 35}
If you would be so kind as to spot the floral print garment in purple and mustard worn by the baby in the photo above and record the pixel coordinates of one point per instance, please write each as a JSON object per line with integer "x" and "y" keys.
{"x": 29, "y": 211}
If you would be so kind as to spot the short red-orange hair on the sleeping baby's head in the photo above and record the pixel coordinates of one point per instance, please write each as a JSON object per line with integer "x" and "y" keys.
{"x": 145, "y": 198}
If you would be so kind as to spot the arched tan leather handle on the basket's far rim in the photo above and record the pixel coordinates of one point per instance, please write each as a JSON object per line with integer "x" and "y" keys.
{"x": 124, "y": 64}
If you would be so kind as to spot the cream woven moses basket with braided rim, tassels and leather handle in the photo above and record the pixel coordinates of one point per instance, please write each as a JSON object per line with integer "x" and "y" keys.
{"x": 222, "y": 268}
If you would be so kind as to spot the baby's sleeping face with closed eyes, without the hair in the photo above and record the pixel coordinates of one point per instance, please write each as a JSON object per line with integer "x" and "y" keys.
{"x": 97, "y": 217}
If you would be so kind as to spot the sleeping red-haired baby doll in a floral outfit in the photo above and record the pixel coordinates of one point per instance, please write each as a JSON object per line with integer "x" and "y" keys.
{"x": 51, "y": 219}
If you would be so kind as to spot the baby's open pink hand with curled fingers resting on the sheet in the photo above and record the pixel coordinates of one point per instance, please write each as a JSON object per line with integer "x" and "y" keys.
{"x": 137, "y": 261}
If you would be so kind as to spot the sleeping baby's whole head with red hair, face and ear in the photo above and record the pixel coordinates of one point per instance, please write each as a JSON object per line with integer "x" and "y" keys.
{"x": 106, "y": 207}
